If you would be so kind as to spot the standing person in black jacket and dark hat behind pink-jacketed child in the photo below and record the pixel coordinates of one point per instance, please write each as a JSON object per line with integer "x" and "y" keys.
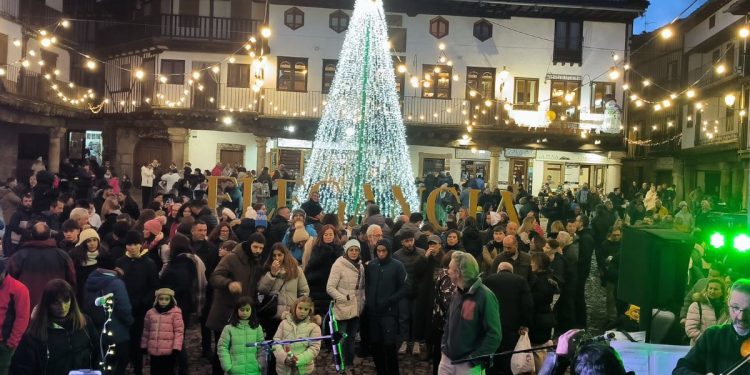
{"x": 141, "y": 277}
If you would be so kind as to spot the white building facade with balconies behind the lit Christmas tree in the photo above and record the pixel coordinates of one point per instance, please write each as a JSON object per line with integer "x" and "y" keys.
{"x": 520, "y": 91}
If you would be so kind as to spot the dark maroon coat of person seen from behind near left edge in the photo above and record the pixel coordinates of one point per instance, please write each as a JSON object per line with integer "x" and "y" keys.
{"x": 38, "y": 262}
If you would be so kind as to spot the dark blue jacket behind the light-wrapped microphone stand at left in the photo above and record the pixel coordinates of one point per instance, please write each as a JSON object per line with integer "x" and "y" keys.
{"x": 102, "y": 282}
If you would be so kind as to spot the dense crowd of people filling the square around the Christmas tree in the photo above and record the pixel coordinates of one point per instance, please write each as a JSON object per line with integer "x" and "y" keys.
{"x": 92, "y": 279}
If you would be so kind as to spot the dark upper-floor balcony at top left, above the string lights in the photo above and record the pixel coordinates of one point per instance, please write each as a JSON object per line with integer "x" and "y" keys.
{"x": 184, "y": 27}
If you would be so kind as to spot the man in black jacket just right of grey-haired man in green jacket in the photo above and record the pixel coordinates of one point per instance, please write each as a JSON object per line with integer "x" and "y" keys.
{"x": 516, "y": 308}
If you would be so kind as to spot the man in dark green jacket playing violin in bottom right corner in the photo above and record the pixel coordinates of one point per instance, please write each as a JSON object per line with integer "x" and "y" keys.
{"x": 719, "y": 348}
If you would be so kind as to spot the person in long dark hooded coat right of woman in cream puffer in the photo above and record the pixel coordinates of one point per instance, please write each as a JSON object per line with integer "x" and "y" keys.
{"x": 385, "y": 286}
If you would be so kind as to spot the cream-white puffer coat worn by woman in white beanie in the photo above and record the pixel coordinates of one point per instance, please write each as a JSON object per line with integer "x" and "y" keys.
{"x": 346, "y": 285}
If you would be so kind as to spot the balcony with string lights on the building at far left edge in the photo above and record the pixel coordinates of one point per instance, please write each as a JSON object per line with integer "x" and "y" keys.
{"x": 26, "y": 84}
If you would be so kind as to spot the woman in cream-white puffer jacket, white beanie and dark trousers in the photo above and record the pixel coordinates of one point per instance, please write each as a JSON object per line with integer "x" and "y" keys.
{"x": 346, "y": 285}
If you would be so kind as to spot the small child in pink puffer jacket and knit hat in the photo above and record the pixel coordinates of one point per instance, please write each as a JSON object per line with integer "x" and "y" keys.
{"x": 163, "y": 332}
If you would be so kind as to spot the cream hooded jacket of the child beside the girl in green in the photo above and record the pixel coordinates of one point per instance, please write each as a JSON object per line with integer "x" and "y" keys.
{"x": 304, "y": 351}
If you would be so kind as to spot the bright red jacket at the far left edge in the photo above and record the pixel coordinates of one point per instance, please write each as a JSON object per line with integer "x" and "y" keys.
{"x": 14, "y": 311}
